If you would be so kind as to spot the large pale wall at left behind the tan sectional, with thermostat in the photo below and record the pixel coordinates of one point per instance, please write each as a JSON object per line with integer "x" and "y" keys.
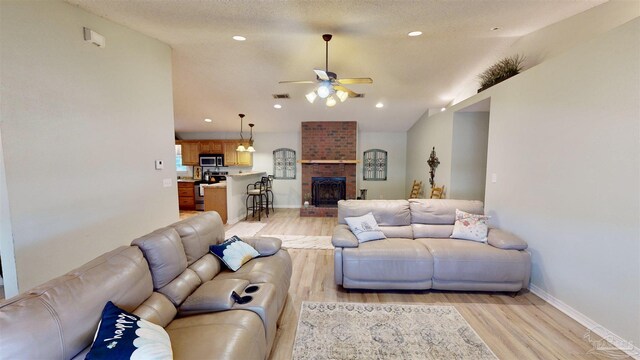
{"x": 81, "y": 128}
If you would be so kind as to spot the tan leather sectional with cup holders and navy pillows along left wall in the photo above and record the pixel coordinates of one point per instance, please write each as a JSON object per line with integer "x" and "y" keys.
{"x": 167, "y": 277}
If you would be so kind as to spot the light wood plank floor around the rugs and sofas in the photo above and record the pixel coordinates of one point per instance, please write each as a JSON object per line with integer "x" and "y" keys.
{"x": 520, "y": 327}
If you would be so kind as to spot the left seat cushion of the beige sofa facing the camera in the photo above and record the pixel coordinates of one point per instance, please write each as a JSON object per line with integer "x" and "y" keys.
{"x": 390, "y": 259}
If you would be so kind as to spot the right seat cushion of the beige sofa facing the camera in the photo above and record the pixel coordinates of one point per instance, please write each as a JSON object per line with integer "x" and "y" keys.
{"x": 474, "y": 261}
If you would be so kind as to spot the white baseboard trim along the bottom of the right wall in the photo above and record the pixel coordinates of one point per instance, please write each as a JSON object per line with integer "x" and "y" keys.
{"x": 615, "y": 340}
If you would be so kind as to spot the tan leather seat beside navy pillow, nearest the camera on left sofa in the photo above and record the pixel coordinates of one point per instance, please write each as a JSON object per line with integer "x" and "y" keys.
{"x": 233, "y": 334}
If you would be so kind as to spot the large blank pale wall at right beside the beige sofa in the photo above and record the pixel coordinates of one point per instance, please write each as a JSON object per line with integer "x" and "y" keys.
{"x": 563, "y": 142}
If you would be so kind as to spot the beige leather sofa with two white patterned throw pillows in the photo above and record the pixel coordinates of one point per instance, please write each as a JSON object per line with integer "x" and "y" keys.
{"x": 418, "y": 253}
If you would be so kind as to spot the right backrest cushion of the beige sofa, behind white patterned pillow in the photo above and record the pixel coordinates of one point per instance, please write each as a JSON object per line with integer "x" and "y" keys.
{"x": 441, "y": 211}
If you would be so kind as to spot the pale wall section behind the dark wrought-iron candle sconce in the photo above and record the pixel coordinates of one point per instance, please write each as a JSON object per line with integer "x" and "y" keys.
{"x": 427, "y": 132}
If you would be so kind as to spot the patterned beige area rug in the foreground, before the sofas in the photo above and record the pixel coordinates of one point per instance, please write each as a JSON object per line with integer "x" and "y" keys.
{"x": 385, "y": 331}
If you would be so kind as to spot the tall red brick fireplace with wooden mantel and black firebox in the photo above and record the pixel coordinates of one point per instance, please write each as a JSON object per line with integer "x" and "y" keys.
{"x": 328, "y": 152}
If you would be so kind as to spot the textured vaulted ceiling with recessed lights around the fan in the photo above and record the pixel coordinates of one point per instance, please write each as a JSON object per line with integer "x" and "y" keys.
{"x": 216, "y": 77}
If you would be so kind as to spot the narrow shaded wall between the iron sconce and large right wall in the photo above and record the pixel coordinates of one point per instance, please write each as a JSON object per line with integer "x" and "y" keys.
{"x": 469, "y": 155}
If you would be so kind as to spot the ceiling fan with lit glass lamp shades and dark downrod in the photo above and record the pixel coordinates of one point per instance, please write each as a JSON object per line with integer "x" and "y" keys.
{"x": 329, "y": 86}
